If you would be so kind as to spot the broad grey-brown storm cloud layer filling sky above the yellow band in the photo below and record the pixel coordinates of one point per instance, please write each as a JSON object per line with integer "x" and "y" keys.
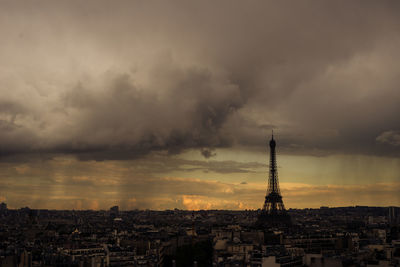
{"x": 159, "y": 77}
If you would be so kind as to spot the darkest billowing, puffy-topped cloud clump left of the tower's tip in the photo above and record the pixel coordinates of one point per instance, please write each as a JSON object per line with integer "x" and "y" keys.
{"x": 128, "y": 120}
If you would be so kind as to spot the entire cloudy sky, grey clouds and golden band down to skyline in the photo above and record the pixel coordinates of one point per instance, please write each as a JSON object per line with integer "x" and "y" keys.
{"x": 161, "y": 105}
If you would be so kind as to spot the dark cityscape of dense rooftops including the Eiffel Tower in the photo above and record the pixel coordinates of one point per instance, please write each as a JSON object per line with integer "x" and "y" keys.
{"x": 271, "y": 236}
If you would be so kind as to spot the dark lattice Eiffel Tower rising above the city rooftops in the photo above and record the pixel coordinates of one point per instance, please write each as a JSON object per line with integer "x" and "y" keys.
{"x": 273, "y": 212}
